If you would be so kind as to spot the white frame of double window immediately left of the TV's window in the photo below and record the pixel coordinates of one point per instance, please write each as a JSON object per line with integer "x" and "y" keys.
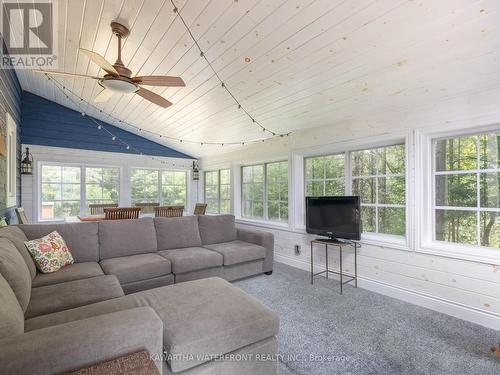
{"x": 265, "y": 218}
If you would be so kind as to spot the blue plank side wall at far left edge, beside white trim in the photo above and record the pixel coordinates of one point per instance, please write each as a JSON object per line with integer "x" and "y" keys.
{"x": 10, "y": 101}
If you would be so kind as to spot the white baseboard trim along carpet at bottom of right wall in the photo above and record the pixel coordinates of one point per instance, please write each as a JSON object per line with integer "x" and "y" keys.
{"x": 421, "y": 299}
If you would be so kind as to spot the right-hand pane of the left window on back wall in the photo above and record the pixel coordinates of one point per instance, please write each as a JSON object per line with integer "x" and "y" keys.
{"x": 102, "y": 185}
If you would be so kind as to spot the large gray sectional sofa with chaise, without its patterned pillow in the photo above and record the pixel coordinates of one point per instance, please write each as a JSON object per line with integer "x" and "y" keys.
{"x": 117, "y": 298}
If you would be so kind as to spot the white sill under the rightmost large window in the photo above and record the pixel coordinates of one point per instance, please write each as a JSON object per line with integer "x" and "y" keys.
{"x": 470, "y": 253}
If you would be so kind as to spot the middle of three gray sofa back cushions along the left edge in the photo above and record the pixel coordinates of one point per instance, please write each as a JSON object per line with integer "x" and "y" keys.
{"x": 14, "y": 269}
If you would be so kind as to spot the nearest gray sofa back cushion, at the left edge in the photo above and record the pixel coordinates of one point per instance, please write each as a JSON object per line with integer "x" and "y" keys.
{"x": 11, "y": 314}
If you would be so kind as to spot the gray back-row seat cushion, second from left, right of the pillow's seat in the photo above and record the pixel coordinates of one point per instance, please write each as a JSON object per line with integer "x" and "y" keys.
{"x": 136, "y": 267}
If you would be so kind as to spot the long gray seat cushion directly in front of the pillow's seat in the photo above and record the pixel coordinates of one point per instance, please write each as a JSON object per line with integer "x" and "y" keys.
{"x": 58, "y": 297}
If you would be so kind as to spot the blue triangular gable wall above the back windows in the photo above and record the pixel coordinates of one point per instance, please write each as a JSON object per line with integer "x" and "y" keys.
{"x": 47, "y": 123}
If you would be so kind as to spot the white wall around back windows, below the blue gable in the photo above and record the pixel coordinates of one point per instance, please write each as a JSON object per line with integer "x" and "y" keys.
{"x": 29, "y": 193}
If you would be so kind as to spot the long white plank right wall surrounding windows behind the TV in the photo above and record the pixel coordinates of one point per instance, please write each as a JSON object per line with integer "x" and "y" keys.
{"x": 450, "y": 283}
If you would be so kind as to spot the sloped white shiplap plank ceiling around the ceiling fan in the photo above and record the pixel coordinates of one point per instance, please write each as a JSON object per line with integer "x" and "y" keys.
{"x": 294, "y": 64}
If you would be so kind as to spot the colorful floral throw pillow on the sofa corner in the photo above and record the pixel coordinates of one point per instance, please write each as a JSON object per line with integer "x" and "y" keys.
{"x": 50, "y": 253}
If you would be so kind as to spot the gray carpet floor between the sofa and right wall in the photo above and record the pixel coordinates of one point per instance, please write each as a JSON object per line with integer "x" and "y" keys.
{"x": 366, "y": 333}
